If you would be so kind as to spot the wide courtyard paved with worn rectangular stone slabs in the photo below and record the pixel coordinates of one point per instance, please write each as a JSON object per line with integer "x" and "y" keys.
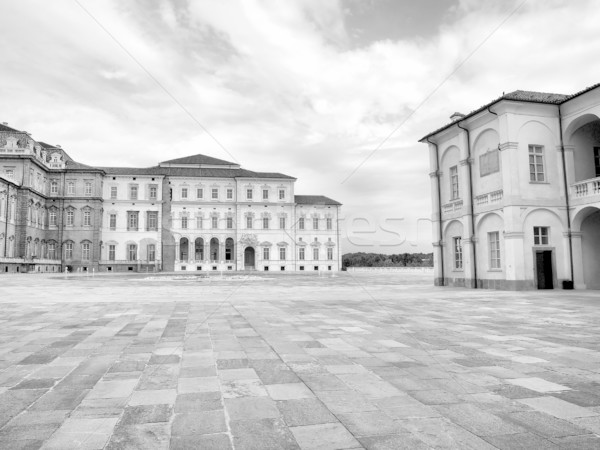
{"x": 376, "y": 361}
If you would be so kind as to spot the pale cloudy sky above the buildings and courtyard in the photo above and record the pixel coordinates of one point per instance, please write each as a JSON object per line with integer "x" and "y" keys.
{"x": 336, "y": 93}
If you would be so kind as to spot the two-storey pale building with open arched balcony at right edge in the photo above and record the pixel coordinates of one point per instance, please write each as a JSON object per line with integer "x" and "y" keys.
{"x": 516, "y": 193}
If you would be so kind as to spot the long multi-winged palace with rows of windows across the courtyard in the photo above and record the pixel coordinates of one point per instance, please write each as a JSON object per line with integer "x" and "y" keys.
{"x": 188, "y": 214}
